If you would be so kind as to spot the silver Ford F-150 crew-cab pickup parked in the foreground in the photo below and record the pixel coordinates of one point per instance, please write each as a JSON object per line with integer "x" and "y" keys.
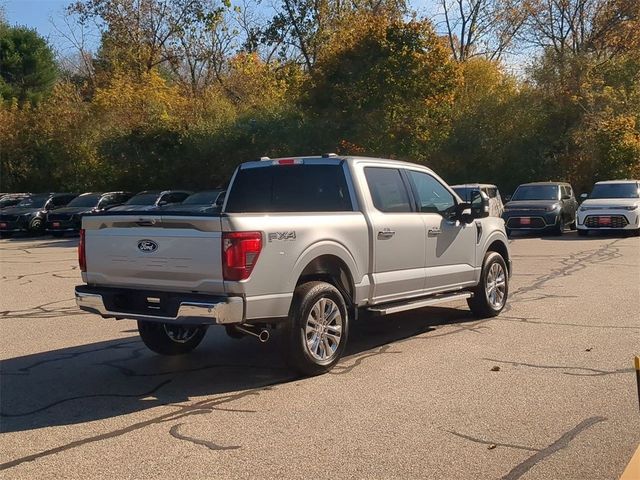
{"x": 306, "y": 244}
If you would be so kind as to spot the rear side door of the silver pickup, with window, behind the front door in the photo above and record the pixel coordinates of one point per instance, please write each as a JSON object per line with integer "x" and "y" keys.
{"x": 398, "y": 237}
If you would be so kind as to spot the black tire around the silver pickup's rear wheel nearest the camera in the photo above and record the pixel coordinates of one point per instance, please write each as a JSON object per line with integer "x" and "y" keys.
{"x": 298, "y": 351}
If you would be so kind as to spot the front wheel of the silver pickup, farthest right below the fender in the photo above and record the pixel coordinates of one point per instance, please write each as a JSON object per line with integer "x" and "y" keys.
{"x": 490, "y": 295}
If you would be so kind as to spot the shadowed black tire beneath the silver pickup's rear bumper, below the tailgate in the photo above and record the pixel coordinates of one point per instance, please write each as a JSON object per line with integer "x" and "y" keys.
{"x": 162, "y": 338}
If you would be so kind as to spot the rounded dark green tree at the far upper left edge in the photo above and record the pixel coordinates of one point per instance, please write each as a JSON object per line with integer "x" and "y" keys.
{"x": 27, "y": 67}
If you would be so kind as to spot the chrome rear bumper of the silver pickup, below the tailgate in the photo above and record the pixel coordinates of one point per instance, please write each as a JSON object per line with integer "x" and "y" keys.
{"x": 162, "y": 307}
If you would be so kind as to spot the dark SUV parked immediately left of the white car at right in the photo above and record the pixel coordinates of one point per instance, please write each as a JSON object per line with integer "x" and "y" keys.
{"x": 541, "y": 207}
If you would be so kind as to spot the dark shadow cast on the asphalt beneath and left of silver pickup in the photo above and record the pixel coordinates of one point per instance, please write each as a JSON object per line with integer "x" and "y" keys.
{"x": 113, "y": 378}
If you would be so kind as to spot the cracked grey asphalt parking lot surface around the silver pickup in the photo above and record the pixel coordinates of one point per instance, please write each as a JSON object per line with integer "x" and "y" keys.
{"x": 545, "y": 391}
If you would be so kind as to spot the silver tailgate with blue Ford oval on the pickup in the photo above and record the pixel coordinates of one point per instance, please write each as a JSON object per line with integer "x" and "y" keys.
{"x": 173, "y": 253}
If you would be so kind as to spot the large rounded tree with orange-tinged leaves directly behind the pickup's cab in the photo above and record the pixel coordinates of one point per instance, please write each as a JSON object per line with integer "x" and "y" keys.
{"x": 385, "y": 86}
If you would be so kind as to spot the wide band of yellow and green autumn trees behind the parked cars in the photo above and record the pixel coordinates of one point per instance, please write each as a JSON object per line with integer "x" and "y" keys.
{"x": 368, "y": 81}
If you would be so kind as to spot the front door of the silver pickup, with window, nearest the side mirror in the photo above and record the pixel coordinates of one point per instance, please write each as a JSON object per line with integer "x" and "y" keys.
{"x": 450, "y": 244}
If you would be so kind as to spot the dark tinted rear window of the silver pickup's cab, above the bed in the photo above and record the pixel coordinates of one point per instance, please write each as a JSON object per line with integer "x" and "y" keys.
{"x": 290, "y": 188}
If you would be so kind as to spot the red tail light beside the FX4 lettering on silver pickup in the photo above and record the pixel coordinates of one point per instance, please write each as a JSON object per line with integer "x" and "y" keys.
{"x": 240, "y": 251}
